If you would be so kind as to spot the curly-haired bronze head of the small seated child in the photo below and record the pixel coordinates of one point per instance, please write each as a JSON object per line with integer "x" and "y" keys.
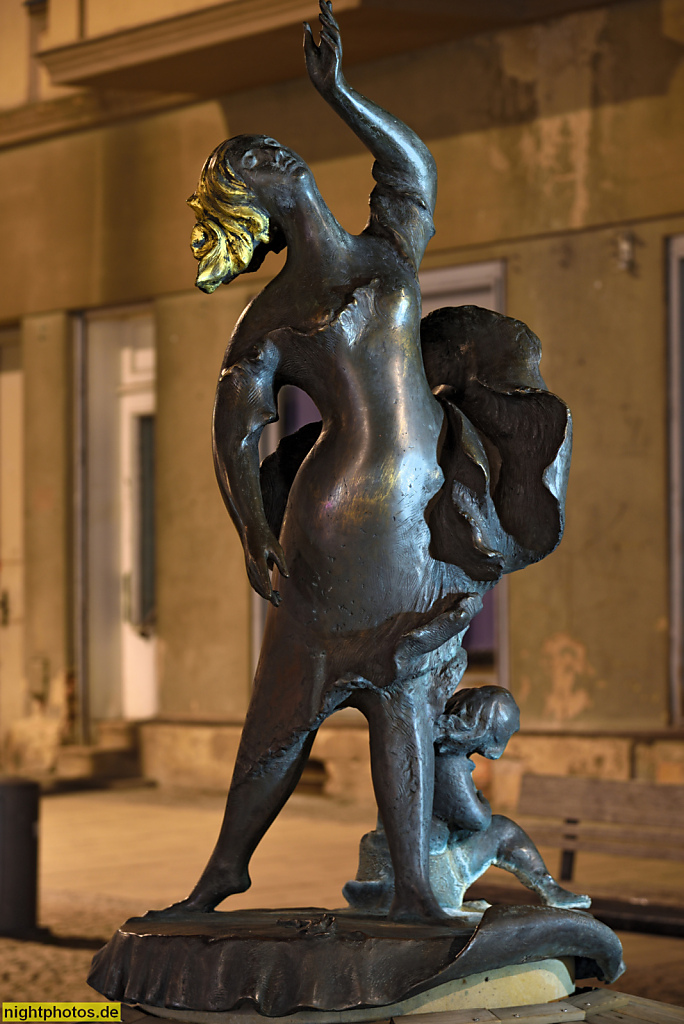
{"x": 478, "y": 720}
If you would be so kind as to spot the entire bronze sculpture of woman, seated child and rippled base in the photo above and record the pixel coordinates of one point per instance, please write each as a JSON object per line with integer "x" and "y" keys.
{"x": 440, "y": 464}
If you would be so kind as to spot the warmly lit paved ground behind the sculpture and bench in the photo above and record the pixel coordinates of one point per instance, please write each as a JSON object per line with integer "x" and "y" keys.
{"x": 109, "y": 856}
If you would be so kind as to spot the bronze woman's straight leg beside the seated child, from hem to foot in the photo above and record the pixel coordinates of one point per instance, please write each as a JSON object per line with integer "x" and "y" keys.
{"x": 403, "y": 764}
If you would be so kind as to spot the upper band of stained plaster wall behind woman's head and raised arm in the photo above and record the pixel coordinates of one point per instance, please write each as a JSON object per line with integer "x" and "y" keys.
{"x": 536, "y": 131}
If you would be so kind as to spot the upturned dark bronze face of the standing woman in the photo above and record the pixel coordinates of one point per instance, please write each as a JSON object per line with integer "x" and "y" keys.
{"x": 270, "y": 169}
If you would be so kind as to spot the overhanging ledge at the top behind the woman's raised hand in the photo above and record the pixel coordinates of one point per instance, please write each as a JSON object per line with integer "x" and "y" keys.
{"x": 243, "y": 45}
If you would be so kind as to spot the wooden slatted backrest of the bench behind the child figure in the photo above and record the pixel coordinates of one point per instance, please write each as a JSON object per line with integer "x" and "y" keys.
{"x": 603, "y": 800}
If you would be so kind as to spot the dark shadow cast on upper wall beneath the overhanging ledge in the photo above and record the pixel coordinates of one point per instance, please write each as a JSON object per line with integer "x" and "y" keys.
{"x": 627, "y": 57}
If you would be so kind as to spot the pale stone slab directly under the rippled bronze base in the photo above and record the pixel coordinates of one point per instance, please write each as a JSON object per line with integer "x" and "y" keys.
{"x": 508, "y": 987}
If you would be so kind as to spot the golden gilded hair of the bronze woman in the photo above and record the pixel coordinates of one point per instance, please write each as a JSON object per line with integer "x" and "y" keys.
{"x": 231, "y": 224}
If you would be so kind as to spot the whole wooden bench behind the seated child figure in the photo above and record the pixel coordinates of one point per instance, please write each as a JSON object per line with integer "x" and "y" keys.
{"x": 622, "y": 819}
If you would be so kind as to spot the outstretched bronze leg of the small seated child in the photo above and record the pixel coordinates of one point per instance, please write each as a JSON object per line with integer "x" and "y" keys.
{"x": 516, "y": 852}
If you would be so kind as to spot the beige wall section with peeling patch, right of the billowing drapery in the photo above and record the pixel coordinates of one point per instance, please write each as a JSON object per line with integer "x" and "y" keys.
{"x": 589, "y": 625}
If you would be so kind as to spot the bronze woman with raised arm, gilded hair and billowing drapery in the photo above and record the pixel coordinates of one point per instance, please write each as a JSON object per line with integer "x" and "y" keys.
{"x": 440, "y": 464}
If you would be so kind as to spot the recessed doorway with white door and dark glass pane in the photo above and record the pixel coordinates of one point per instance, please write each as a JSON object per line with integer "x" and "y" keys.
{"x": 119, "y": 571}
